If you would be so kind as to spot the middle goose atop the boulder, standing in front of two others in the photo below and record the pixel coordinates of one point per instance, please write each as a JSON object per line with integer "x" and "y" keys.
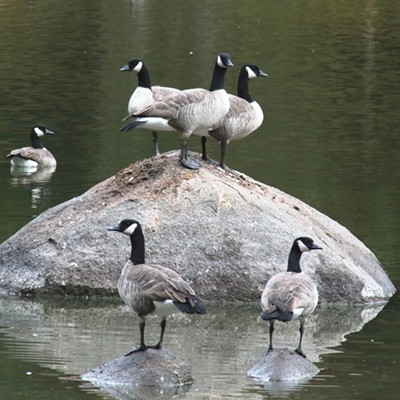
{"x": 190, "y": 111}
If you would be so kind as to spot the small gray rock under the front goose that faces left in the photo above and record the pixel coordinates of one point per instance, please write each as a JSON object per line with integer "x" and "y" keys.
{"x": 146, "y": 368}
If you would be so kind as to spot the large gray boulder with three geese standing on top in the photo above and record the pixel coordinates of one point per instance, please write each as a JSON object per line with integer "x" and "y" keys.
{"x": 223, "y": 231}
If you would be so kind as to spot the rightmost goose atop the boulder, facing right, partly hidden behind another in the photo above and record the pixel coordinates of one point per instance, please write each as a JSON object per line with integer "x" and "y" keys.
{"x": 244, "y": 116}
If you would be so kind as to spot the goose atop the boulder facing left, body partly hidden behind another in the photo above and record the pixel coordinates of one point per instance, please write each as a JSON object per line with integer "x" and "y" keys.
{"x": 145, "y": 94}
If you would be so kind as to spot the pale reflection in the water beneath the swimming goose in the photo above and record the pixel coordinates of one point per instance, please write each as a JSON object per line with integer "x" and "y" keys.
{"x": 35, "y": 179}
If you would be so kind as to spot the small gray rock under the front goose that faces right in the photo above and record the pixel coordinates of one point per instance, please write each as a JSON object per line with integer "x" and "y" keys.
{"x": 283, "y": 365}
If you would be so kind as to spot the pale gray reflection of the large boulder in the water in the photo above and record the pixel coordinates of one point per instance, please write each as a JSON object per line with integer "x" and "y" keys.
{"x": 94, "y": 332}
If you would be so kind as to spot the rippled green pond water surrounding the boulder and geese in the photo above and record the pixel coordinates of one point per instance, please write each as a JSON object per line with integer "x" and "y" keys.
{"x": 330, "y": 137}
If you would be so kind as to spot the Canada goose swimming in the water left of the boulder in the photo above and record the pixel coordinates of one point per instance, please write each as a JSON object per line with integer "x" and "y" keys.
{"x": 36, "y": 155}
